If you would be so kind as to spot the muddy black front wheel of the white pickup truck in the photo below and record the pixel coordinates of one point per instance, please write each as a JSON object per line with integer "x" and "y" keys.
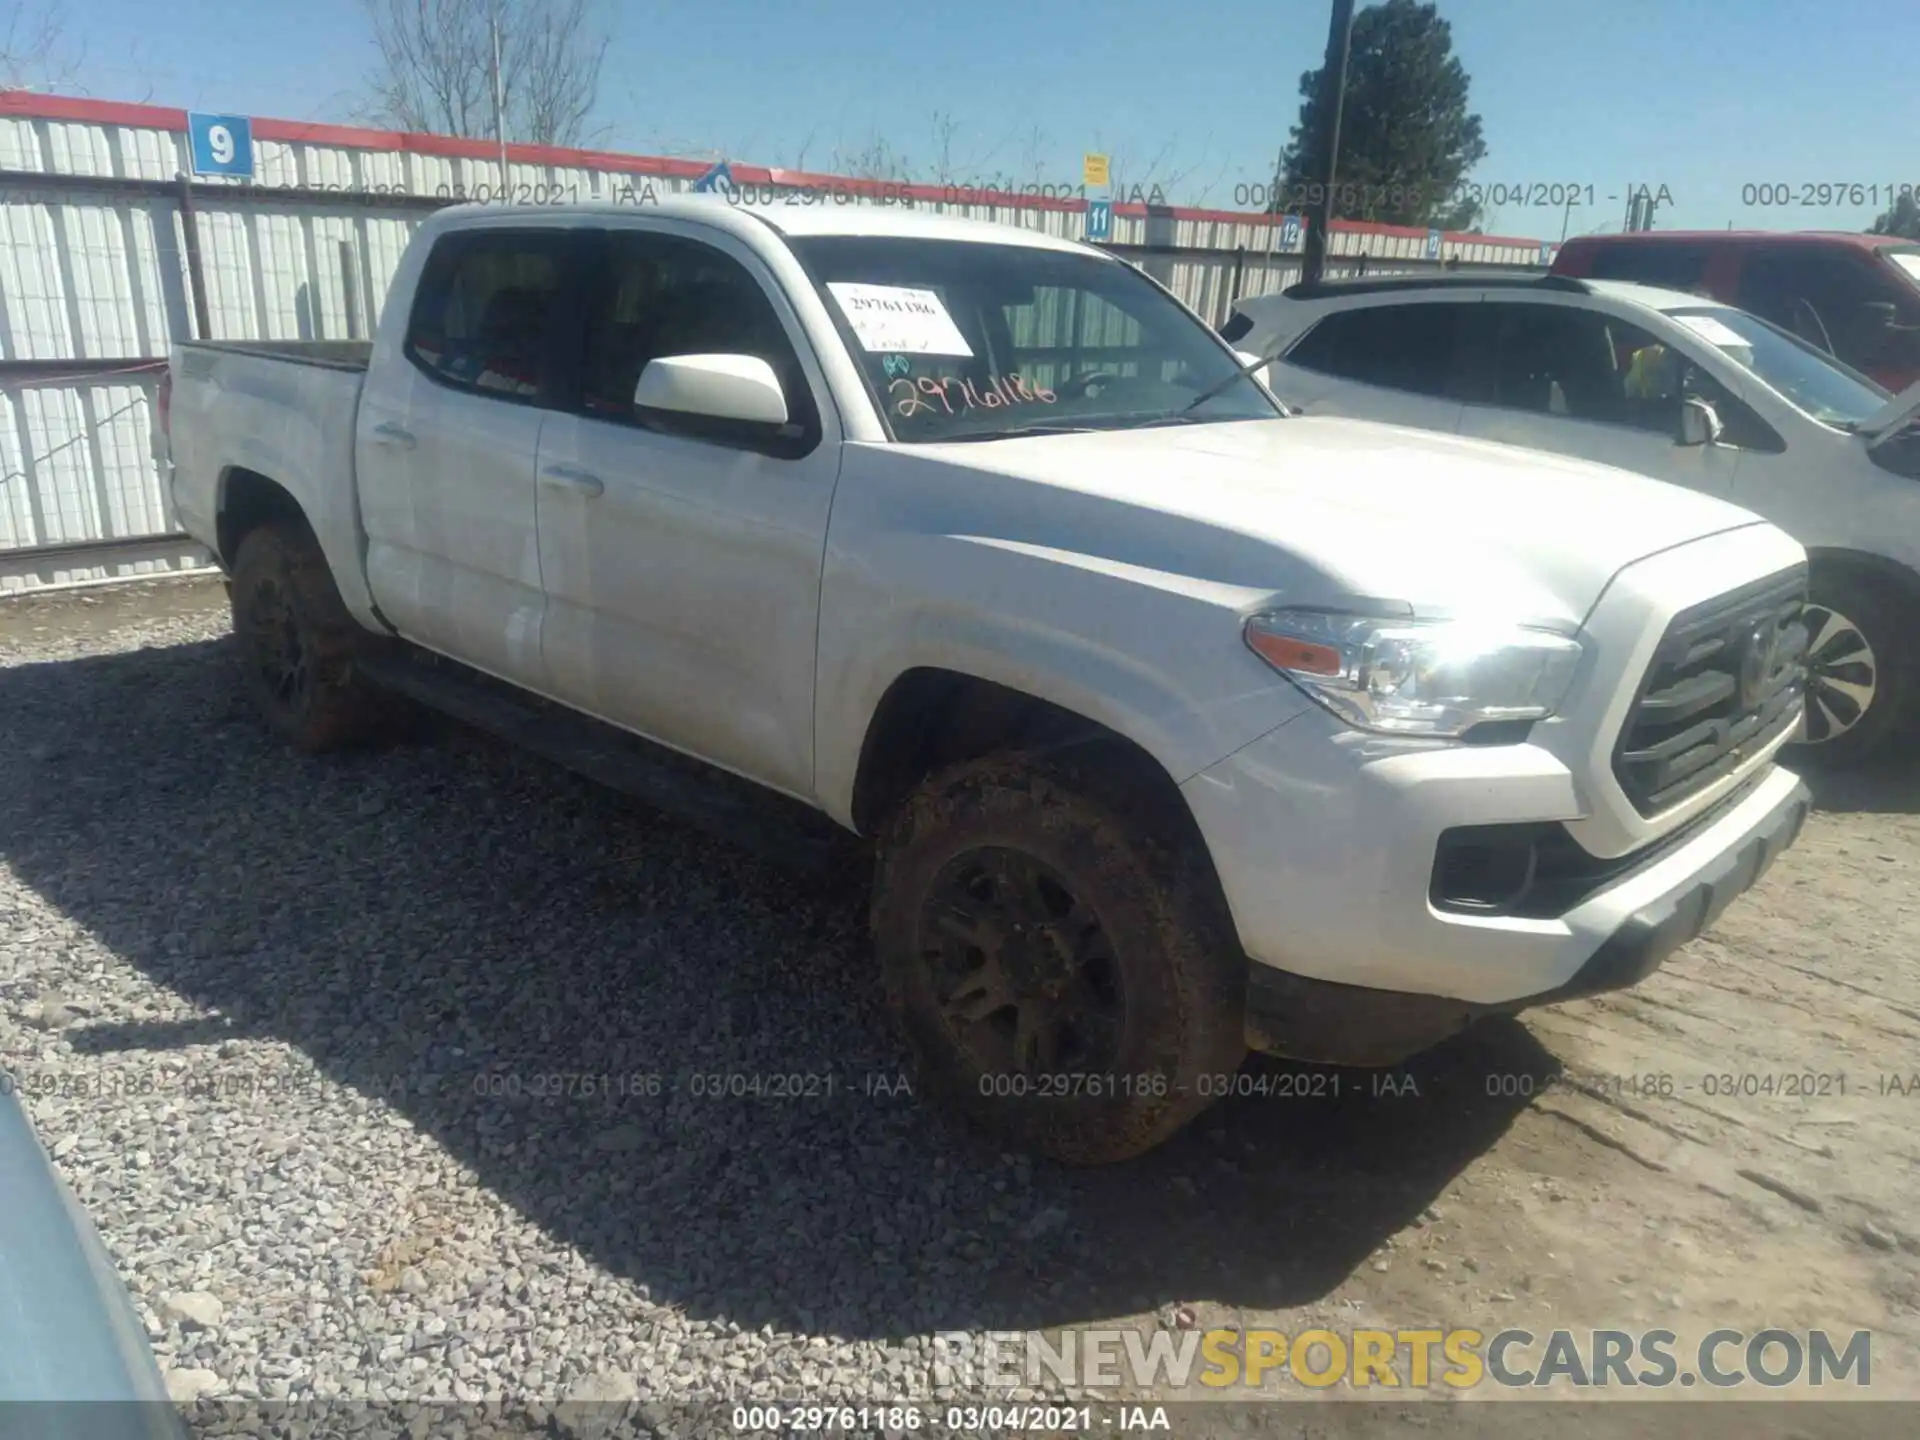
{"x": 1063, "y": 972}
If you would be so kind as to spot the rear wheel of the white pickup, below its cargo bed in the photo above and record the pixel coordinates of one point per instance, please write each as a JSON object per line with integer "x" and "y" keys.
{"x": 297, "y": 644}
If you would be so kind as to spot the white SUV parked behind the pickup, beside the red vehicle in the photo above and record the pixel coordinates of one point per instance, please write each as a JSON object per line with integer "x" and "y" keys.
{"x": 1668, "y": 385}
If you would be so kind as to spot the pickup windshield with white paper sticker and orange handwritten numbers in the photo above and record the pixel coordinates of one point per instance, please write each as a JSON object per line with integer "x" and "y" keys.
{"x": 967, "y": 341}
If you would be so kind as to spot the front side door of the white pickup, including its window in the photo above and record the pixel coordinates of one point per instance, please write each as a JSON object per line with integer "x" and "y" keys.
{"x": 683, "y": 560}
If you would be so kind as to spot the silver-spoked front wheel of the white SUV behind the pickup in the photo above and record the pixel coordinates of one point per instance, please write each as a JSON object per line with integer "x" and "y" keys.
{"x": 1858, "y": 671}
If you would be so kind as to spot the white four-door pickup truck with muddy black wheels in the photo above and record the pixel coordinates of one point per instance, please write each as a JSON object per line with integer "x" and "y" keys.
{"x": 1176, "y": 725}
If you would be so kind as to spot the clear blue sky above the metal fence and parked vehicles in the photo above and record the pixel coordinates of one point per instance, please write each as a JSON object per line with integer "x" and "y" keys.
{"x": 1702, "y": 97}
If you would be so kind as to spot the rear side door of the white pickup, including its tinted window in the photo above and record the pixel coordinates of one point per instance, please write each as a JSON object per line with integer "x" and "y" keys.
{"x": 446, "y": 448}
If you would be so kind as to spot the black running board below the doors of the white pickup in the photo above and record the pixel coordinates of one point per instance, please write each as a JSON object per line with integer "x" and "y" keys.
{"x": 721, "y": 804}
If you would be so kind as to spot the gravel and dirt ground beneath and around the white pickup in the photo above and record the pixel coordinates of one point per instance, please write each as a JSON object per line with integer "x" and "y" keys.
{"x": 385, "y": 1078}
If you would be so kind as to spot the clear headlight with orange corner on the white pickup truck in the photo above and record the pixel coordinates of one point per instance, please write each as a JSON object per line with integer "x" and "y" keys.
{"x": 1418, "y": 677}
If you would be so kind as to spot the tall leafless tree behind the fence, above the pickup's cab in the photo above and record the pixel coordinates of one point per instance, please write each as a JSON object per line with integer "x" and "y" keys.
{"x": 437, "y": 66}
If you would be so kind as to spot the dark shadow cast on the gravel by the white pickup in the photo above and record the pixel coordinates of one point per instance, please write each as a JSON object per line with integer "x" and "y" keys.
{"x": 446, "y": 924}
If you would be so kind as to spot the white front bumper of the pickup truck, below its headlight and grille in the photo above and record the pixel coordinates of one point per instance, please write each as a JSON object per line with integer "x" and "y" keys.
{"x": 1326, "y": 846}
